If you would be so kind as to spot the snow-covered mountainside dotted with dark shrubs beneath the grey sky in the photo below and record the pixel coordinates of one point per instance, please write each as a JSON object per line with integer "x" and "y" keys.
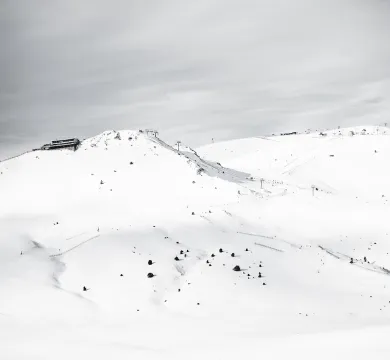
{"x": 153, "y": 233}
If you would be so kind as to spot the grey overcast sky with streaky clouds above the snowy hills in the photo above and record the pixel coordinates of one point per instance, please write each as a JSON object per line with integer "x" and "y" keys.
{"x": 193, "y": 69}
